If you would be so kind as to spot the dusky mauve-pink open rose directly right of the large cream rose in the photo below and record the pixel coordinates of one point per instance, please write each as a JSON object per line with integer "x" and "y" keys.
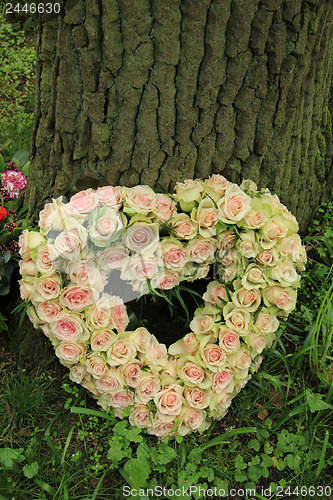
{"x": 142, "y": 237}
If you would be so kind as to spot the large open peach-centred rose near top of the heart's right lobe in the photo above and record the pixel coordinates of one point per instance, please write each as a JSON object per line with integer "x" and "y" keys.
{"x": 234, "y": 205}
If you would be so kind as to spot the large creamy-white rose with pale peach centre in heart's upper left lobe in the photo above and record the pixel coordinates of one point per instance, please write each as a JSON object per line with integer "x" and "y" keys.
{"x": 106, "y": 223}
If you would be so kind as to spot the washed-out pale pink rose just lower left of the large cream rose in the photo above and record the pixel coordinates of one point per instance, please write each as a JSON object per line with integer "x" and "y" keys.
{"x": 69, "y": 243}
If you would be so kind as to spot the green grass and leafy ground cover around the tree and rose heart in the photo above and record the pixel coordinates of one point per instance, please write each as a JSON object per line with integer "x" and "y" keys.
{"x": 277, "y": 437}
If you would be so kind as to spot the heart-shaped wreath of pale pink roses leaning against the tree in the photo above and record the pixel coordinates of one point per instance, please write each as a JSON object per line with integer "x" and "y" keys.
{"x": 157, "y": 241}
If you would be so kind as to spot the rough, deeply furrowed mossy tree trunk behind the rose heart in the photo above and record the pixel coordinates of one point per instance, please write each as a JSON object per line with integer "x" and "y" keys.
{"x": 154, "y": 91}
